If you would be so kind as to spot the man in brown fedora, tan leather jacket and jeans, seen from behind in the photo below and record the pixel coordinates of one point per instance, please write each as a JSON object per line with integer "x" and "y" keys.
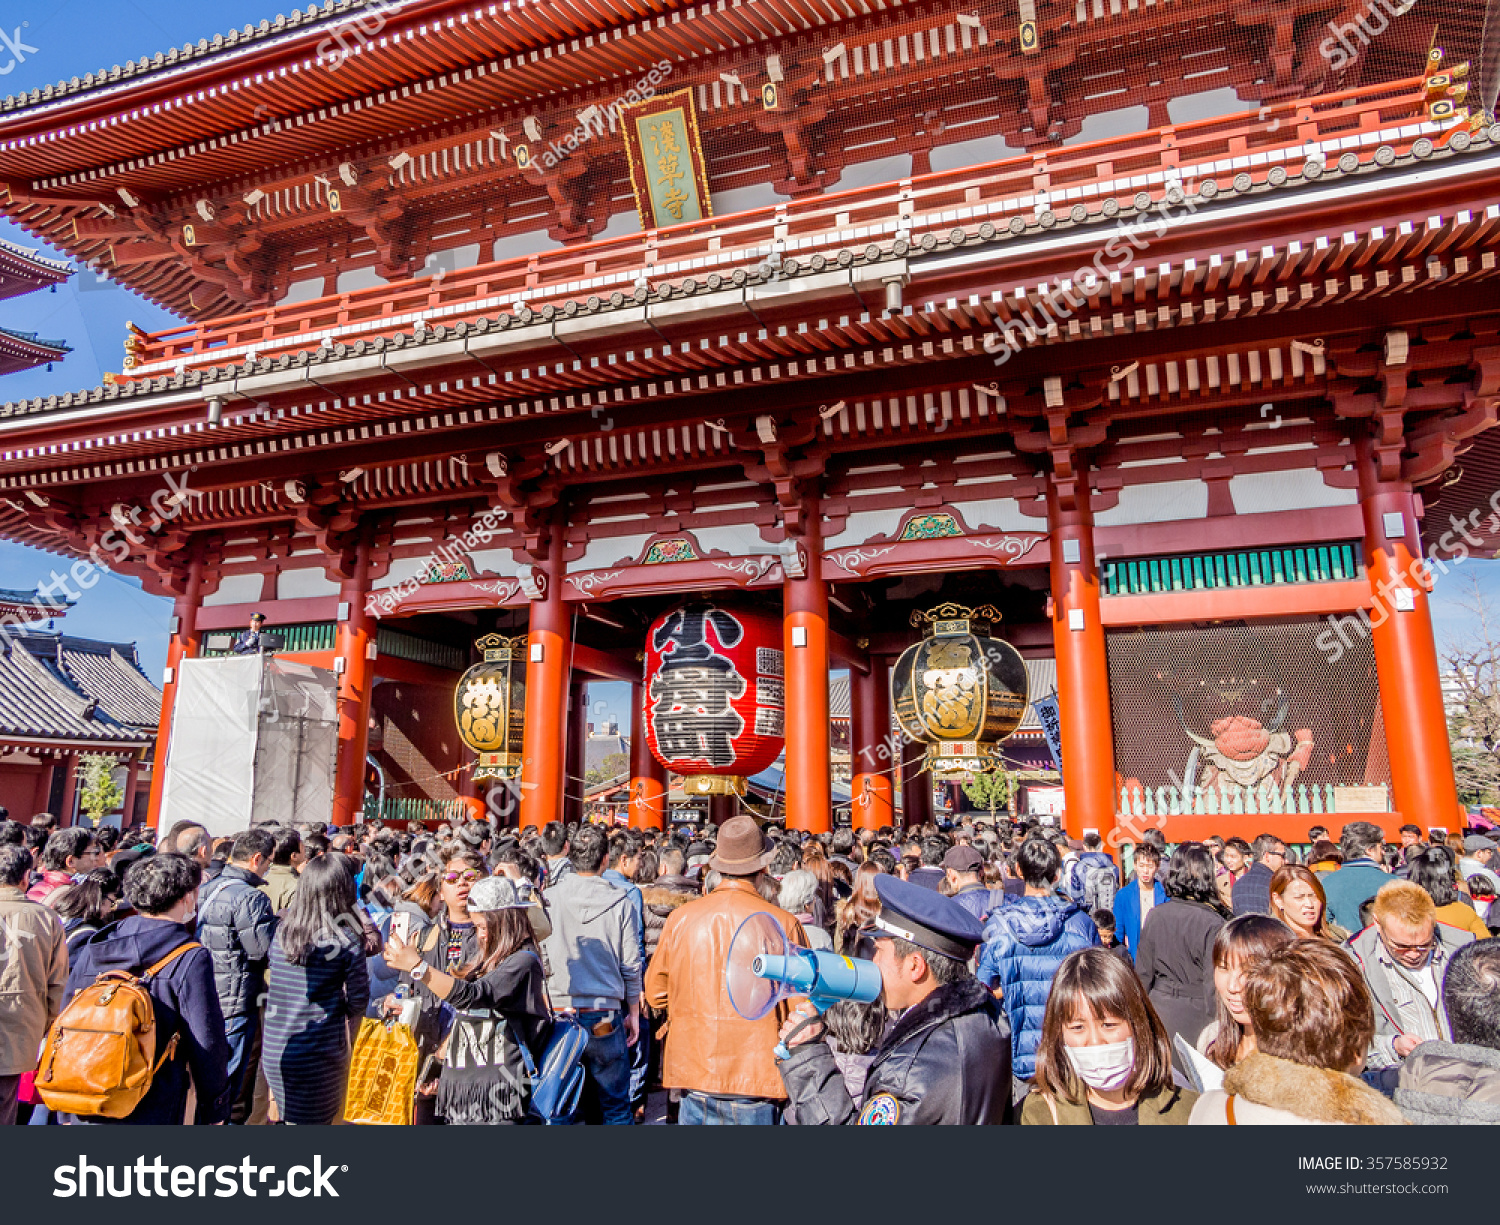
{"x": 722, "y": 1062}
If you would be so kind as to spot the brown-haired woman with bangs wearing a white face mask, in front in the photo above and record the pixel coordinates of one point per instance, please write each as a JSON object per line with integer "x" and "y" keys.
{"x": 1105, "y": 1056}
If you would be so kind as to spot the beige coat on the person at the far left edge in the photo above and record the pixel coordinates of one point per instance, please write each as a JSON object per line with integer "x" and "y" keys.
{"x": 34, "y": 972}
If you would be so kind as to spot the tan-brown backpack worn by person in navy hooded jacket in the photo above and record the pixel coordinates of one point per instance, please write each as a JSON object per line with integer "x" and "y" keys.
{"x": 100, "y": 1058}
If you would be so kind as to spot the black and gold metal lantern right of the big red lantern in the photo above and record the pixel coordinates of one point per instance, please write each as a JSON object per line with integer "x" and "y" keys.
{"x": 959, "y": 690}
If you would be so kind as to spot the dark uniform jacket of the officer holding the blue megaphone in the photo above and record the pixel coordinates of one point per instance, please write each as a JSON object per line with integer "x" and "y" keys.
{"x": 946, "y": 1061}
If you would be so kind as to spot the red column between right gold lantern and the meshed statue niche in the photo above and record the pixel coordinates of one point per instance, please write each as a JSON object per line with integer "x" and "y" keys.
{"x": 1084, "y": 681}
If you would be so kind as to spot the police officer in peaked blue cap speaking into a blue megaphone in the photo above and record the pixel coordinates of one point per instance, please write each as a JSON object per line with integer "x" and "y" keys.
{"x": 949, "y": 1056}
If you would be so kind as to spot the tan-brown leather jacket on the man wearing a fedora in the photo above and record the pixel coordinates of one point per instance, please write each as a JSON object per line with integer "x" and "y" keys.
{"x": 710, "y": 1047}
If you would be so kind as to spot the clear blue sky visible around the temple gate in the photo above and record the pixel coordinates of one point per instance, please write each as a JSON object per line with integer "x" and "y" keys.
{"x": 79, "y": 37}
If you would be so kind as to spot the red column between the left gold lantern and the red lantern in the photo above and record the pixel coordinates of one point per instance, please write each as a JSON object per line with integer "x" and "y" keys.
{"x": 548, "y": 642}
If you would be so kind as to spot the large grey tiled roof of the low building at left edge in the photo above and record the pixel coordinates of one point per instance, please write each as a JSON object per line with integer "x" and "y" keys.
{"x": 56, "y": 687}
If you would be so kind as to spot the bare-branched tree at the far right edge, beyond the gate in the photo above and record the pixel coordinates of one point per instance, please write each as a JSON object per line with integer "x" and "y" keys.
{"x": 1471, "y": 663}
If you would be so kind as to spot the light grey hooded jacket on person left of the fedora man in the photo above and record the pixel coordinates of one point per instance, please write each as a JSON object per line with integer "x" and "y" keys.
{"x": 595, "y": 950}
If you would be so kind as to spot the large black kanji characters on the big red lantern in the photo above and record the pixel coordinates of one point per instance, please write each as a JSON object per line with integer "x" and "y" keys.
{"x": 695, "y": 687}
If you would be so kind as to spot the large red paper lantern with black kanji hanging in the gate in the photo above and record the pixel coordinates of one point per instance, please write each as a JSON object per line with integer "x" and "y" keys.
{"x": 715, "y": 696}
